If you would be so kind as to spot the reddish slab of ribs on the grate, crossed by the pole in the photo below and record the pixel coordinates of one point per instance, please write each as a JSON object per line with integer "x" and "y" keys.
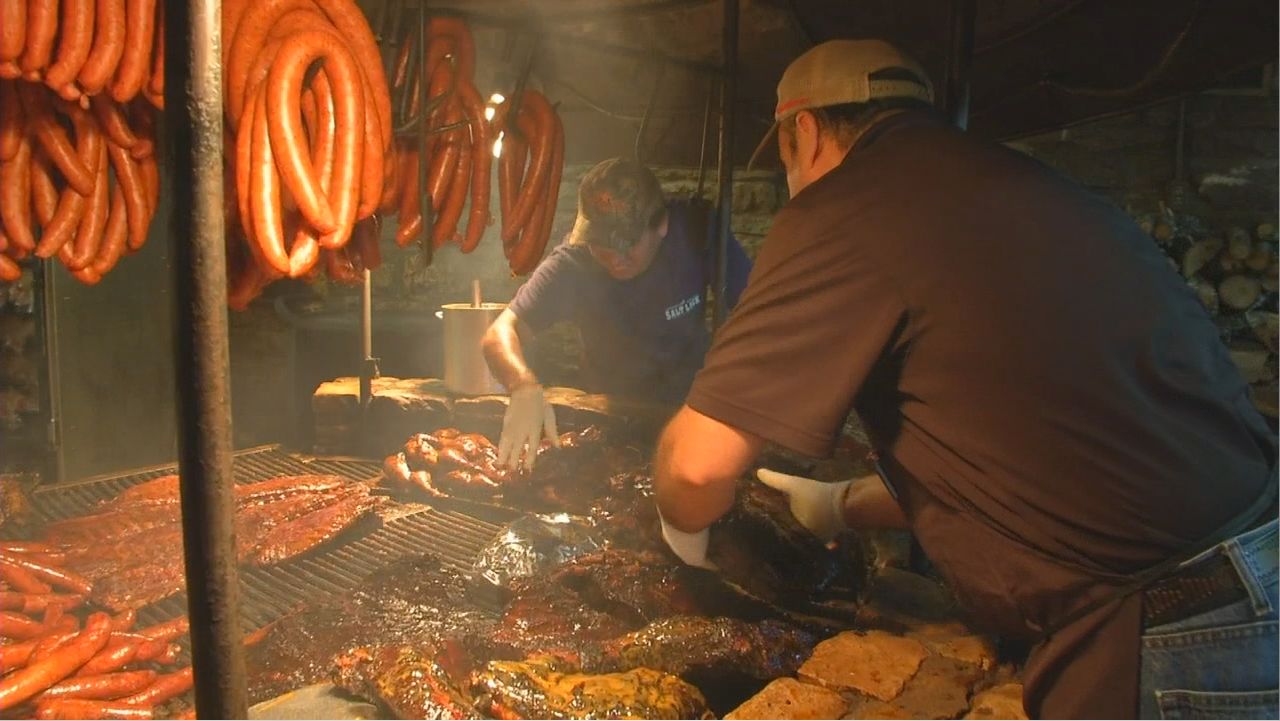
{"x": 131, "y": 546}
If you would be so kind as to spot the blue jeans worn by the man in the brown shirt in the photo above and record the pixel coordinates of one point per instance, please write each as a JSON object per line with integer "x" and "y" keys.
{"x": 1222, "y": 664}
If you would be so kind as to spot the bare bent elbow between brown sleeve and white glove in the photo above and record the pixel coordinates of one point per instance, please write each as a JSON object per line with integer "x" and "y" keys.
{"x": 697, "y": 469}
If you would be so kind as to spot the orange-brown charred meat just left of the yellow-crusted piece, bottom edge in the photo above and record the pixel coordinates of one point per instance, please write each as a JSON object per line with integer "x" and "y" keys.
{"x": 410, "y": 682}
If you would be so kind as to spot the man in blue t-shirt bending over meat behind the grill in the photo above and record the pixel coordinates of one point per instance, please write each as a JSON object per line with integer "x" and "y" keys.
{"x": 633, "y": 276}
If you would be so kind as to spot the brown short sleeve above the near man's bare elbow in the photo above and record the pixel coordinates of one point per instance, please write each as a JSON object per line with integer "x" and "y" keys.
{"x": 813, "y": 322}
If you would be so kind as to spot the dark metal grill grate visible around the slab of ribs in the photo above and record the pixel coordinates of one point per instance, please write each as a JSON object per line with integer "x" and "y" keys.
{"x": 269, "y": 594}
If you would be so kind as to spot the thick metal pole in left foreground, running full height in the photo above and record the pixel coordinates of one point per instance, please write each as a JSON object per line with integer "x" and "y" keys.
{"x": 194, "y": 139}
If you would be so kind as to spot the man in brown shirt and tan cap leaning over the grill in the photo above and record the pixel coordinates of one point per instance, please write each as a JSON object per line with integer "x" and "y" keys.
{"x": 1052, "y": 408}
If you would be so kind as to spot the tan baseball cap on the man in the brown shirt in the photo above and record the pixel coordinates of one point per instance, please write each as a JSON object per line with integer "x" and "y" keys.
{"x": 843, "y": 71}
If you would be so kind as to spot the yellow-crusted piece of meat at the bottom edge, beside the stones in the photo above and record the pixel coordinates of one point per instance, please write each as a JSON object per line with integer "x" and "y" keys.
{"x": 538, "y": 688}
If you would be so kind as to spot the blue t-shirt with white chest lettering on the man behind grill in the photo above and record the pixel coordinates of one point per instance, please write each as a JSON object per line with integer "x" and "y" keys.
{"x": 644, "y": 337}
